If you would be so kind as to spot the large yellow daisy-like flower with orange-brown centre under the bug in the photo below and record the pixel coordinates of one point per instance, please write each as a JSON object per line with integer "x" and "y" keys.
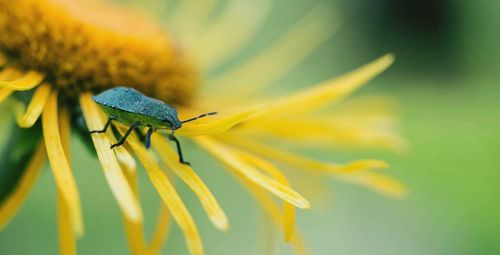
{"x": 65, "y": 52}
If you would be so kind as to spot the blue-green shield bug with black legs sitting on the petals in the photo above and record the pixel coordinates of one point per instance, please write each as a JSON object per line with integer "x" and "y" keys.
{"x": 136, "y": 110}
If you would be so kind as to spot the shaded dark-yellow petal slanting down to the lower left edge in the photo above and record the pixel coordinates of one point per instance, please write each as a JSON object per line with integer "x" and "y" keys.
{"x": 15, "y": 200}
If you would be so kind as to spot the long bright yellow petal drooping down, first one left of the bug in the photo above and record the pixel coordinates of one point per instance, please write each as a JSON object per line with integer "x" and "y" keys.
{"x": 59, "y": 163}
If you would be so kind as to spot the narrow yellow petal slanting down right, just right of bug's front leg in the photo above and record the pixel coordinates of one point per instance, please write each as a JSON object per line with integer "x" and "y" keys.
{"x": 228, "y": 157}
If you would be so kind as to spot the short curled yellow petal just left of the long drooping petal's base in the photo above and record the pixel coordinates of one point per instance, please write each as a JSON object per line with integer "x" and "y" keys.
{"x": 35, "y": 107}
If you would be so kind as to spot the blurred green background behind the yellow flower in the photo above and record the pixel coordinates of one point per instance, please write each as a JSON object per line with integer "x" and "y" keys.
{"x": 446, "y": 83}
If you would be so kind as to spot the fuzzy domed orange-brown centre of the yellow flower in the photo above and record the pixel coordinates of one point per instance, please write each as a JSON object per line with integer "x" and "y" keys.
{"x": 91, "y": 46}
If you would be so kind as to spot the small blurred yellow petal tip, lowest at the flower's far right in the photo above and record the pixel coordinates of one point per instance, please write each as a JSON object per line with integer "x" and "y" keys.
{"x": 378, "y": 182}
